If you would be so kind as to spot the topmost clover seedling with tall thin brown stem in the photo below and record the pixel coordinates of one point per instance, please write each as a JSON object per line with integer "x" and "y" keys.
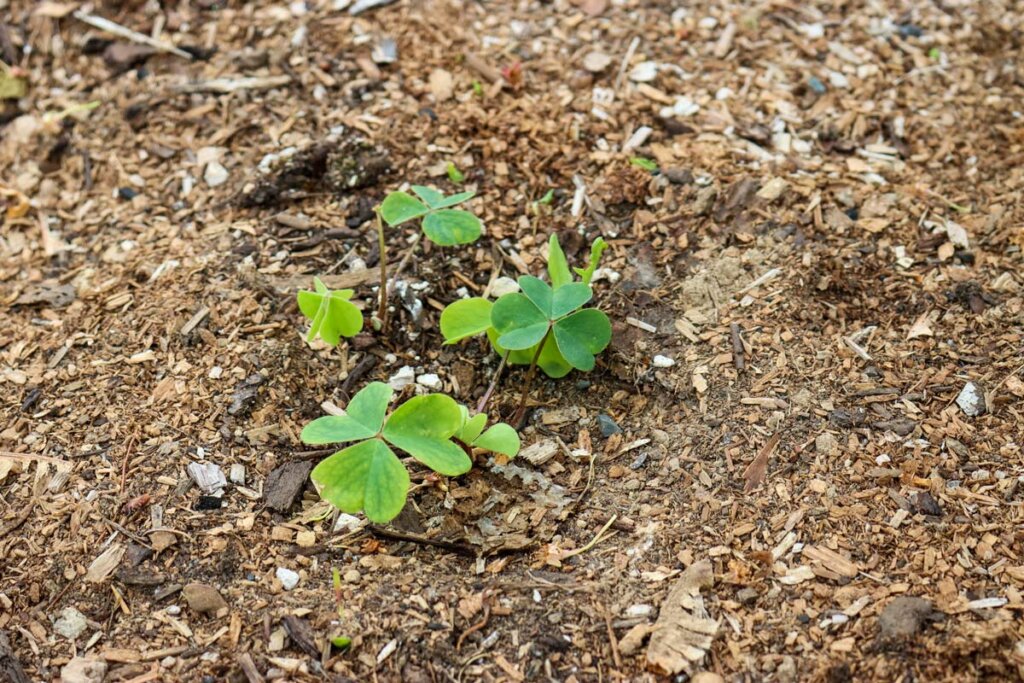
{"x": 443, "y": 225}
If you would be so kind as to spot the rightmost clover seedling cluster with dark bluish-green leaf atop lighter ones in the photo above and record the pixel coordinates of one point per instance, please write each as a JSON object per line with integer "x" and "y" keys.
{"x": 544, "y": 326}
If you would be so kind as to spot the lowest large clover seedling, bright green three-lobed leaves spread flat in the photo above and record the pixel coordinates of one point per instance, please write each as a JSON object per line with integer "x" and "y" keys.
{"x": 368, "y": 477}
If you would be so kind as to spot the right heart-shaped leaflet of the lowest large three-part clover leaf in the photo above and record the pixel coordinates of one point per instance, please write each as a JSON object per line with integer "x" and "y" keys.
{"x": 423, "y": 428}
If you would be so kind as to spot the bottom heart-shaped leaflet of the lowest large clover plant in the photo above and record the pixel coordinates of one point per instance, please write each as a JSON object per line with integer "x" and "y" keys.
{"x": 367, "y": 477}
